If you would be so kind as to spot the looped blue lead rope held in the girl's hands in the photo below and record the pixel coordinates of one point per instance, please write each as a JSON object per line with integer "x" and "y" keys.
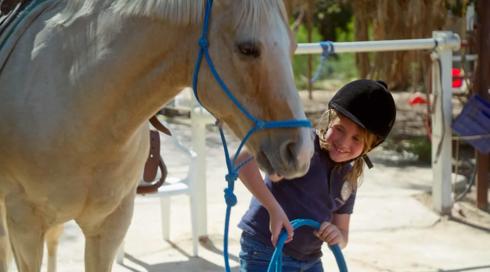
{"x": 276, "y": 261}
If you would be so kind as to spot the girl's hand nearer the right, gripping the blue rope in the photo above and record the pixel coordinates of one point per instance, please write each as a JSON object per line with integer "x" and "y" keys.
{"x": 336, "y": 232}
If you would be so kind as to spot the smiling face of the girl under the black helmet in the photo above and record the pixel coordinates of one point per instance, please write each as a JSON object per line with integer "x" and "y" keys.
{"x": 344, "y": 139}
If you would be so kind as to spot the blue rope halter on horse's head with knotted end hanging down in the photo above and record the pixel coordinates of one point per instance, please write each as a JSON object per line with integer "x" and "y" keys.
{"x": 233, "y": 169}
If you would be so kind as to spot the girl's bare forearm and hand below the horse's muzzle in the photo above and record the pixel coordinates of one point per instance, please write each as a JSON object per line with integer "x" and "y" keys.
{"x": 252, "y": 179}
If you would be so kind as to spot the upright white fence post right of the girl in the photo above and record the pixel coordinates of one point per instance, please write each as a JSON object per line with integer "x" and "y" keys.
{"x": 441, "y": 120}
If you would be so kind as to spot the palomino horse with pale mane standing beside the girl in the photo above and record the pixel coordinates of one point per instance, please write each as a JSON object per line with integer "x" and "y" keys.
{"x": 78, "y": 81}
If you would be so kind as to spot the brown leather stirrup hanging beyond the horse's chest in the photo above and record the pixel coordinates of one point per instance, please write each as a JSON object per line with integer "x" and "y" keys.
{"x": 154, "y": 161}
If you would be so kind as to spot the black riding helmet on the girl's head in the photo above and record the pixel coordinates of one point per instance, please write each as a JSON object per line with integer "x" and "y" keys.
{"x": 369, "y": 104}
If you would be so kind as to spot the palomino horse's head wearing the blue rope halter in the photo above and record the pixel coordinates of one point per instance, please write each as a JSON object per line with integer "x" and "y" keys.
{"x": 251, "y": 47}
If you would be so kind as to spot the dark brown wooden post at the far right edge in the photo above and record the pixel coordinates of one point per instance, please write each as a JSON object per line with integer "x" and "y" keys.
{"x": 482, "y": 87}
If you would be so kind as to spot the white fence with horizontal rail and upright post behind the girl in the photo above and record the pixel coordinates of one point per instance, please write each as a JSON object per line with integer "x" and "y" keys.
{"x": 442, "y": 44}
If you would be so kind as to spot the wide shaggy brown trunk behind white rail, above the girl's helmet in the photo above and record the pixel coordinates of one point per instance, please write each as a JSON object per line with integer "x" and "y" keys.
{"x": 400, "y": 19}
